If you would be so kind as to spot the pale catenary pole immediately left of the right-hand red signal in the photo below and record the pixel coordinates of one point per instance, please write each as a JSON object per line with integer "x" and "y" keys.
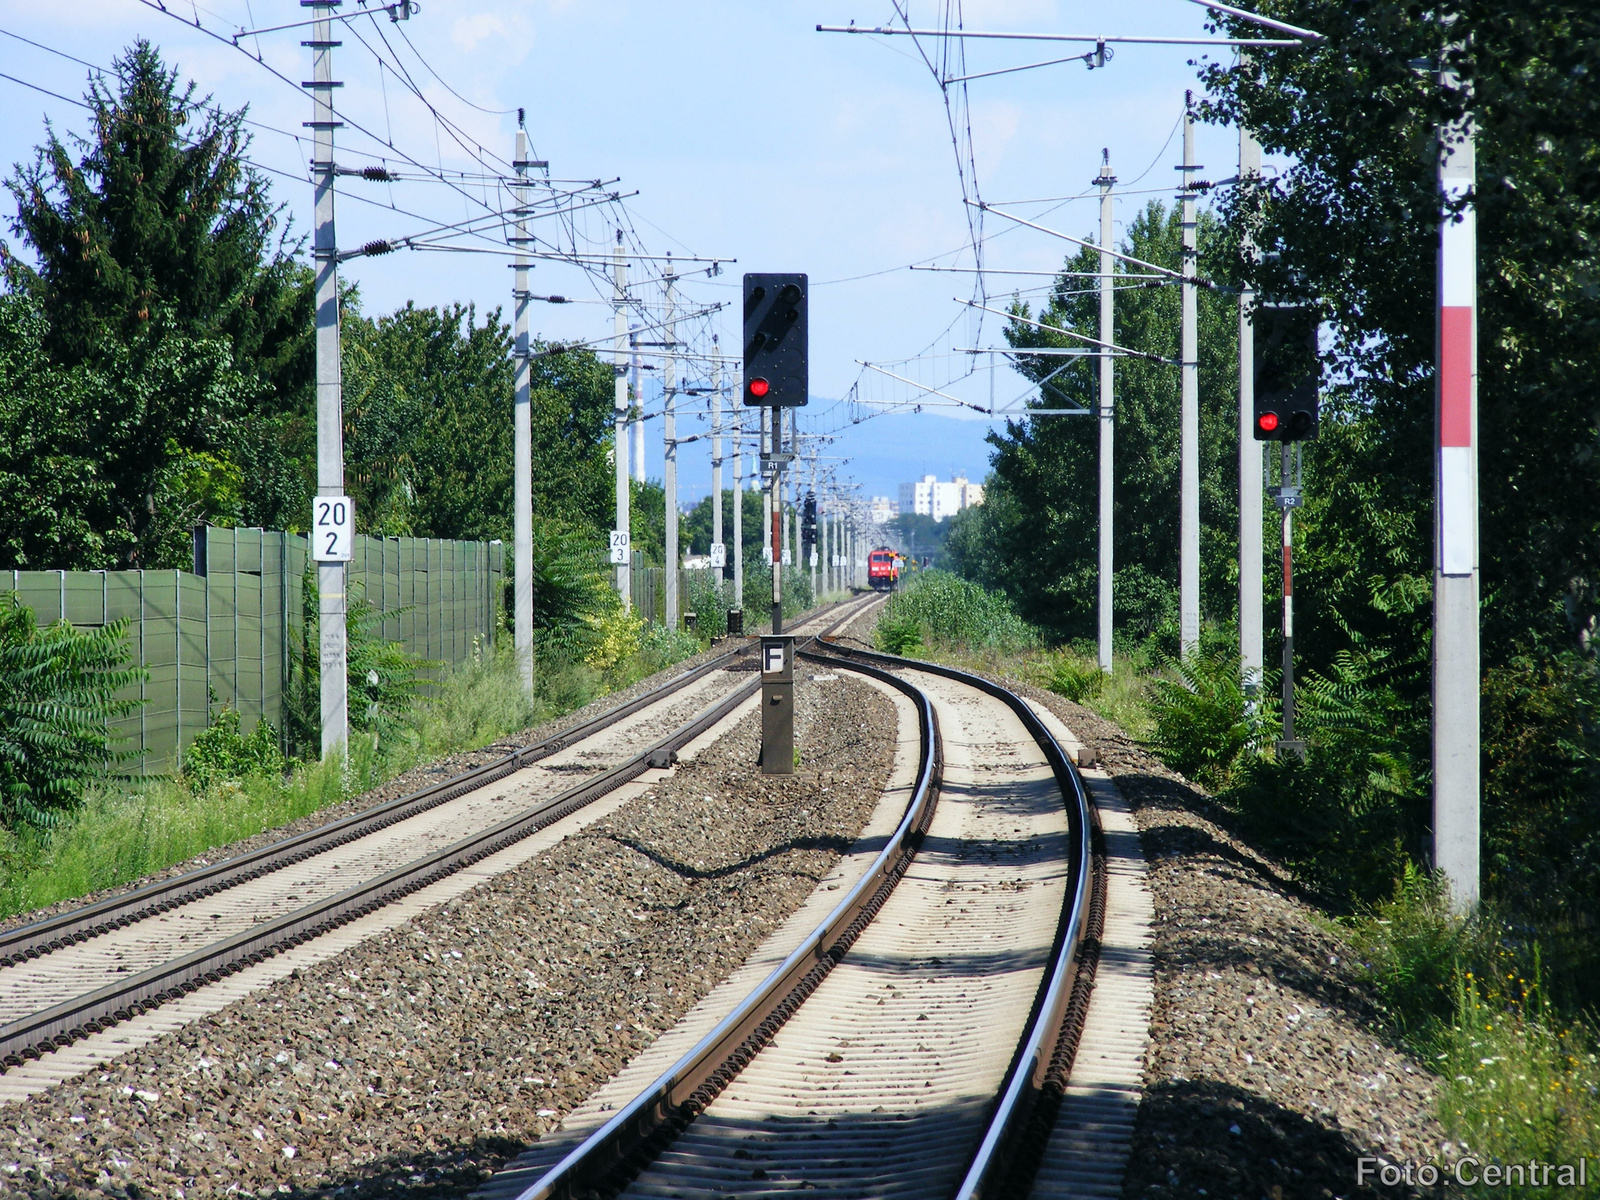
{"x": 1252, "y": 652}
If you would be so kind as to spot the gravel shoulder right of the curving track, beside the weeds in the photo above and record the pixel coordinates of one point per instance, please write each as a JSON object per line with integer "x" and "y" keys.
{"x": 1270, "y": 1073}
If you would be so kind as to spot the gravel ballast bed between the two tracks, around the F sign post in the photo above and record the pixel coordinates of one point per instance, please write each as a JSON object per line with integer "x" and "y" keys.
{"x": 428, "y": 1055}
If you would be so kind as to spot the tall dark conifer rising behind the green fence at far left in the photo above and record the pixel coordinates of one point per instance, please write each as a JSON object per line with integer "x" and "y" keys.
{"x": 169, "y": 290}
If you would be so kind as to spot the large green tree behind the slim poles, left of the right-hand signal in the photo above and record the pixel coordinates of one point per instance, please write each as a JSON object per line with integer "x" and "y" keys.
{"x": 1036, "y": 534}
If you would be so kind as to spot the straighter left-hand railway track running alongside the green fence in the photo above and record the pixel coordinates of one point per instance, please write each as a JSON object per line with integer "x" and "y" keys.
{"x": 82, "y": 972}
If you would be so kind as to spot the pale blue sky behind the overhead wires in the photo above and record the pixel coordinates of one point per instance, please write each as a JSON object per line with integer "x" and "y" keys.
{"x": 746, "y": 135}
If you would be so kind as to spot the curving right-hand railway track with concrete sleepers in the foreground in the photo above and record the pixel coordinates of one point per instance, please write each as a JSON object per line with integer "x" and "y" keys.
{"x": 916, "y": 1041}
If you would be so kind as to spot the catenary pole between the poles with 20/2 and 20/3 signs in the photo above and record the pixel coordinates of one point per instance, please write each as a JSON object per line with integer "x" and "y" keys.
{"x": 522, "y": 436}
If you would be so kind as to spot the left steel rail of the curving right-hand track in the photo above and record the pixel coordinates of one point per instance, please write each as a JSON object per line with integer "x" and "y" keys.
{"x": 662, "y": 1111}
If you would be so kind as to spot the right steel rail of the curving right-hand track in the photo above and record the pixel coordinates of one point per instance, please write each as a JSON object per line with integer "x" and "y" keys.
{"x": 1028, "y": 1078}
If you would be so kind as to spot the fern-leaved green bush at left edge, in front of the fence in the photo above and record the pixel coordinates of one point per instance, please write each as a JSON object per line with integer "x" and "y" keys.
{"x": 58, "y": 694}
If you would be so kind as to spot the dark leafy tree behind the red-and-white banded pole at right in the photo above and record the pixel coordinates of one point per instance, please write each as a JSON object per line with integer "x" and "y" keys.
{"x": 1351, "y": 225}
